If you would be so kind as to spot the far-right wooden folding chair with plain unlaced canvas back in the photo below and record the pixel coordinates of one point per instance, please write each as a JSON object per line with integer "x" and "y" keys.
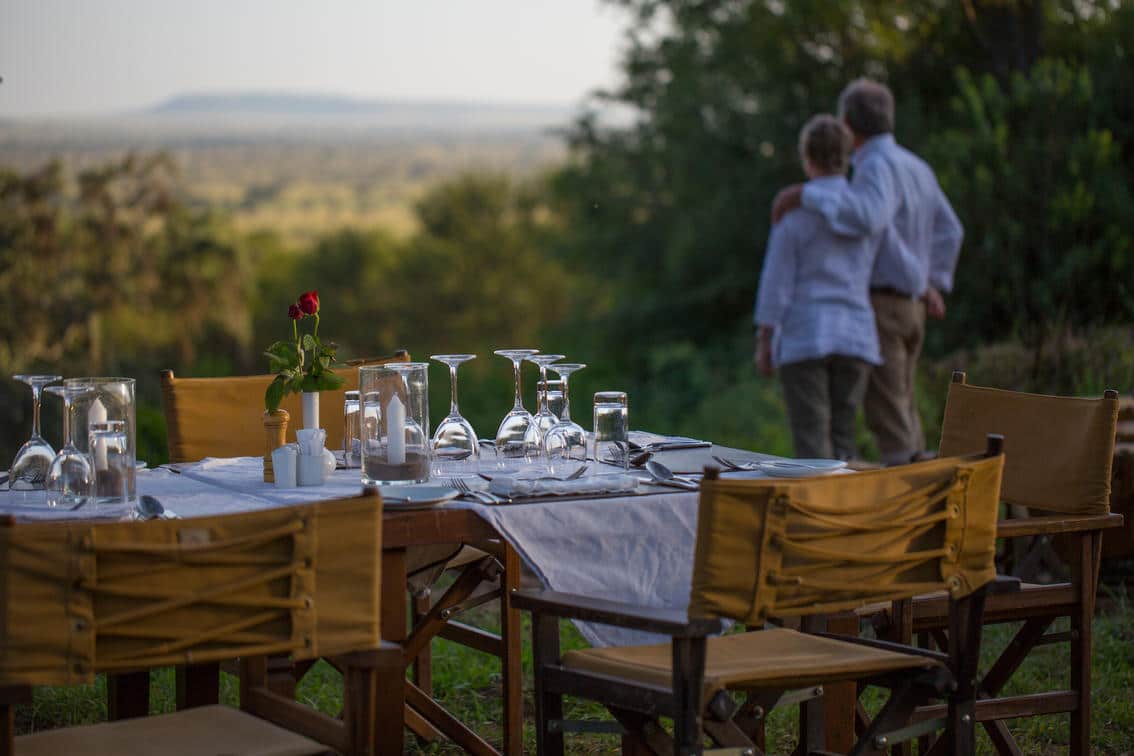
{"x": 1059, "y": 470}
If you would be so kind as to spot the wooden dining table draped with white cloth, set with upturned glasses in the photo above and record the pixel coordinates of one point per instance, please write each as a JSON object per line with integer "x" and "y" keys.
{"x": 633, "y": 543}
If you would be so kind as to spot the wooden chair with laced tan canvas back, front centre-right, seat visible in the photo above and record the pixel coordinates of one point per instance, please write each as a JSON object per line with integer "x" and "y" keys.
{"x": 781, "y": 548}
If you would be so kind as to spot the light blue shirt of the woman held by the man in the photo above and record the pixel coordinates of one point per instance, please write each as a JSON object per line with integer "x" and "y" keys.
{"x": 815, "y": 290}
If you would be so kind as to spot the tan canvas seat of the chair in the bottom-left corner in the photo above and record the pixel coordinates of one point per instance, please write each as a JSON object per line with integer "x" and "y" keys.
{"x": 189, "y": 733}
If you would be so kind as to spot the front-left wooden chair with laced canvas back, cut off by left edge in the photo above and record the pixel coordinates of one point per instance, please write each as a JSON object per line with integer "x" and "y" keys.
{"x": 83, "y": 598}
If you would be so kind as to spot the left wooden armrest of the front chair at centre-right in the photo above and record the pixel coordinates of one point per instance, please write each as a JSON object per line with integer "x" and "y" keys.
{"x": 668, "y": 622}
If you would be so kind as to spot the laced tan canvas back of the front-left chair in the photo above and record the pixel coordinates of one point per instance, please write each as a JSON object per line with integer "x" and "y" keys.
{"x": 81, "y": 598}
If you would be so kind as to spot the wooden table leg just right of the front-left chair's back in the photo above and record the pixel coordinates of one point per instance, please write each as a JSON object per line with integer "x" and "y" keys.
{"x": 390, "y": 729}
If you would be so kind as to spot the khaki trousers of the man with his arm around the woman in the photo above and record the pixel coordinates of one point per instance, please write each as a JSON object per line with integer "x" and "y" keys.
{"x": 891, "y": 406}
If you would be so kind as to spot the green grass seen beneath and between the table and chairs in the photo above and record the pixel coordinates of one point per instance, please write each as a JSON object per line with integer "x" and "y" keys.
{"x": 469, "y": 684}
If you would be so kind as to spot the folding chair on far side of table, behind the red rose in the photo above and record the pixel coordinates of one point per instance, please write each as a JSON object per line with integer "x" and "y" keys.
{"x": 222, "y": 418}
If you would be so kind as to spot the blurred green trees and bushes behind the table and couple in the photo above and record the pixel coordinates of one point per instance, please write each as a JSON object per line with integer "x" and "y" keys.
{"x": 639, "y": 254}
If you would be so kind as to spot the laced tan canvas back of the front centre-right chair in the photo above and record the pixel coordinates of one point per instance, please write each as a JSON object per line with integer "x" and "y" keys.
{"x": 789, "y": 548}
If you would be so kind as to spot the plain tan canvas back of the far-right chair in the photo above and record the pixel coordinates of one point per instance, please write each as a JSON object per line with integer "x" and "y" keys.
{"x": 1059, "y": 449}
